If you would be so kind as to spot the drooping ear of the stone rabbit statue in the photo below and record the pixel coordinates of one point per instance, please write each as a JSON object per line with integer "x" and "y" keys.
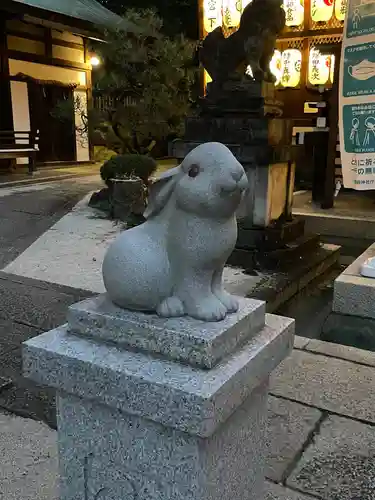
{"x": 161, "y": 190}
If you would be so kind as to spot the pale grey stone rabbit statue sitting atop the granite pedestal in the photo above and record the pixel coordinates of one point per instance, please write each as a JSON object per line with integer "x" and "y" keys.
{"x": 173, "y": 263}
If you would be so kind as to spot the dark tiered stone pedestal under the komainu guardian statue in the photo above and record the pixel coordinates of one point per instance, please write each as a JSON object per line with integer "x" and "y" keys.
{"x": 246, "y": 117}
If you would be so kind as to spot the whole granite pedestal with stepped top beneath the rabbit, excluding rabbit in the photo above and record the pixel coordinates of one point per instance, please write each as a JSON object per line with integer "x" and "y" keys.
{"x": 160, "y": 409}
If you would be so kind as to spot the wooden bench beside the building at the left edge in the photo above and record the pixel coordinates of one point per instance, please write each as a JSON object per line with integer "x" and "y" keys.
{"x": 15, "y": 144}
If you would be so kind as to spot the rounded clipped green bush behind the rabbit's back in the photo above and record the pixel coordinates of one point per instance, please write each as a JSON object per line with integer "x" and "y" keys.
{"x": 131, "y": 165}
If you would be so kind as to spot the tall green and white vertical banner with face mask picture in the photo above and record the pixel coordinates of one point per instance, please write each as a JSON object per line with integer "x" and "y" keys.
{"x": 357, "y": 96}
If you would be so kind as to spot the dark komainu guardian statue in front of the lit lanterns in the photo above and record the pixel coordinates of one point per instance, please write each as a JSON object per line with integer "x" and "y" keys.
{"x": 251, "y": 45}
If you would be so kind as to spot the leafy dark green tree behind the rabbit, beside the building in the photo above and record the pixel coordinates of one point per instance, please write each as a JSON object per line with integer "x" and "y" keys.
{"x": 143, "y": 89}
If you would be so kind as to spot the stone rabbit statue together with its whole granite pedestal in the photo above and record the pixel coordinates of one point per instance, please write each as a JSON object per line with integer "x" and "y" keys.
{"x": 165, "y": 406}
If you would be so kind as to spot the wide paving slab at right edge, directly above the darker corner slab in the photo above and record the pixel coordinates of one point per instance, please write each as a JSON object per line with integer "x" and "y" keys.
{"x": 327, "y": 383}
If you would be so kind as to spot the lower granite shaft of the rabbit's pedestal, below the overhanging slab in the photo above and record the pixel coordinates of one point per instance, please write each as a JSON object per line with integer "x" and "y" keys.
{"x": 106, "y": 454}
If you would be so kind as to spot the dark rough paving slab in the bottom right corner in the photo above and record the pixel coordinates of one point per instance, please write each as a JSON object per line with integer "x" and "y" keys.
{"x": 339, "y": 463}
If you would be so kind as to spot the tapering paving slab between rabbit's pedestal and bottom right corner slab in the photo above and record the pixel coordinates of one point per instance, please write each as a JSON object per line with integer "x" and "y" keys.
{"x": 289, "y": 427}
